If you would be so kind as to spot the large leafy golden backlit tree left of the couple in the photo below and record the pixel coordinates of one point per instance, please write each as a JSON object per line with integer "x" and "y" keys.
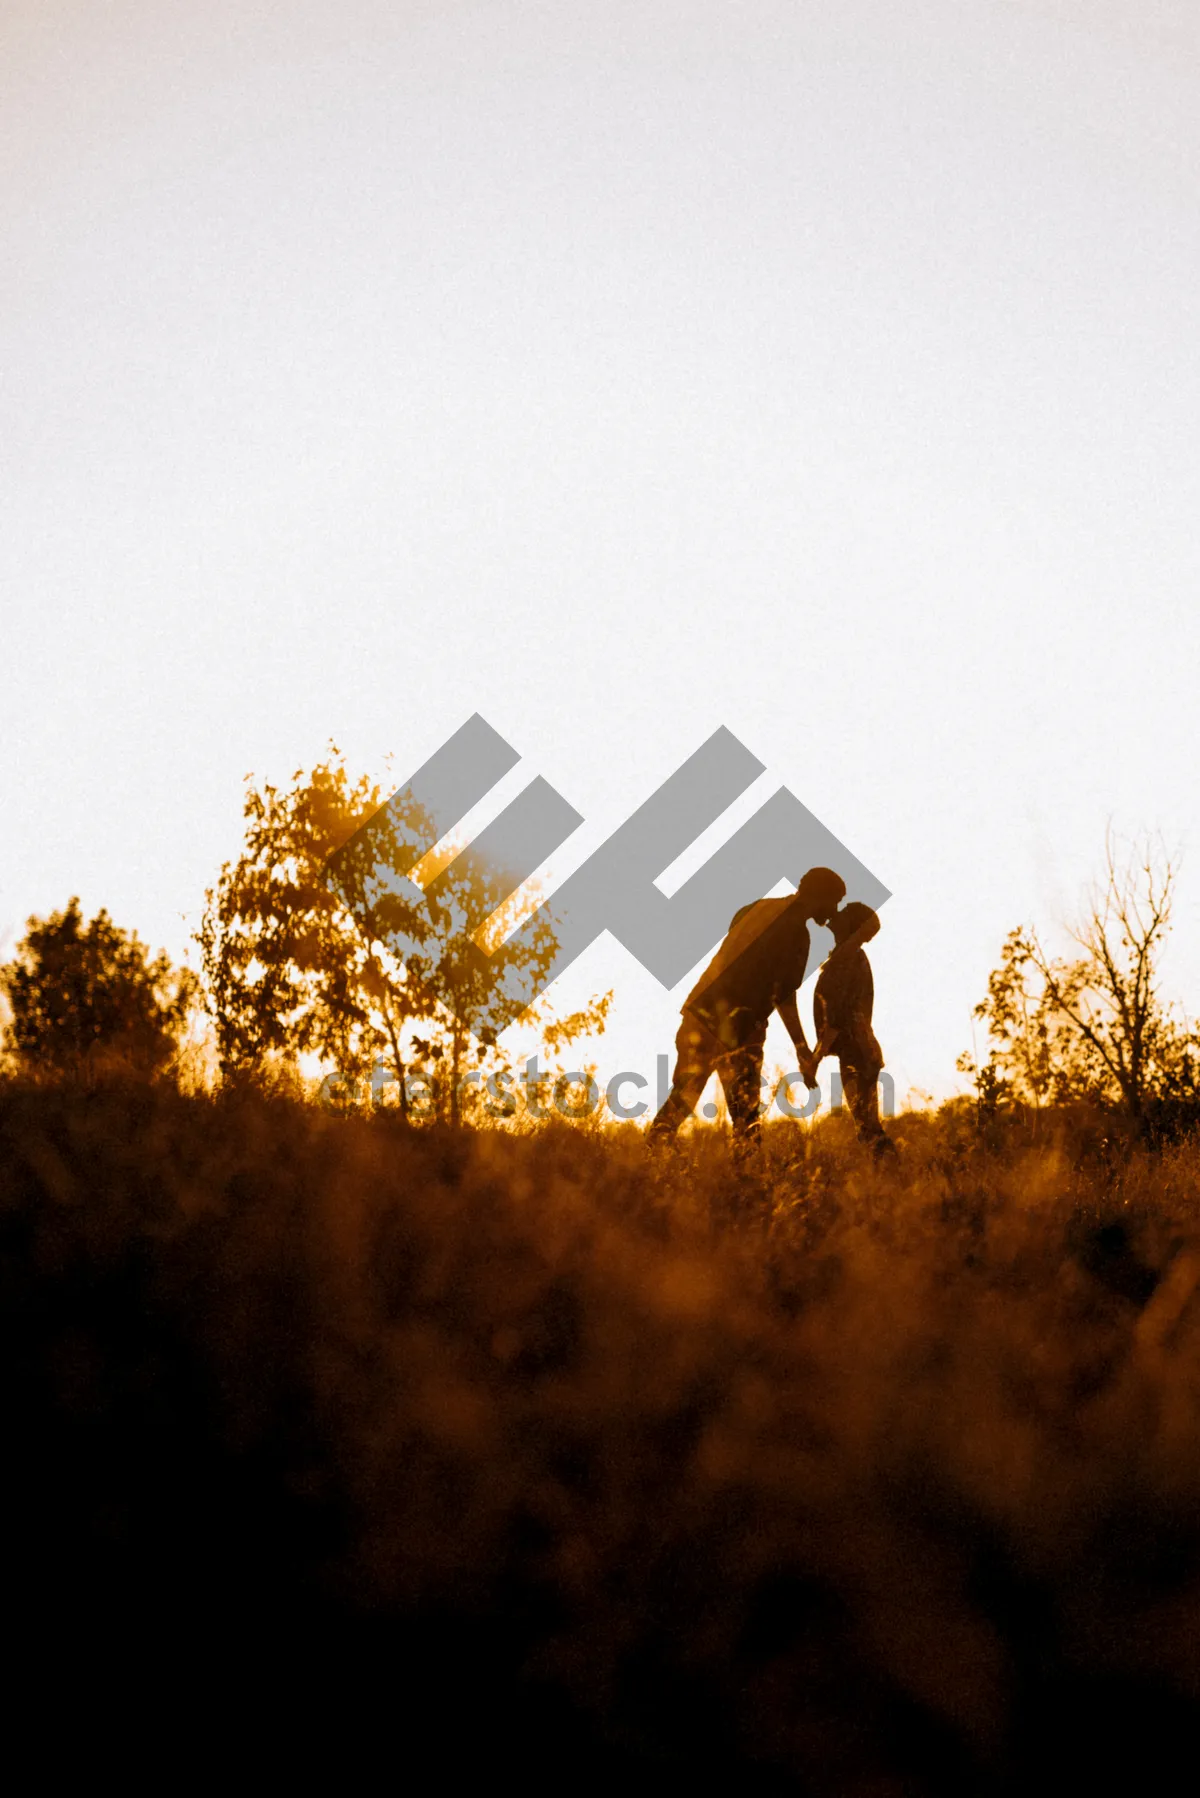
{"x": 314, "y": 941}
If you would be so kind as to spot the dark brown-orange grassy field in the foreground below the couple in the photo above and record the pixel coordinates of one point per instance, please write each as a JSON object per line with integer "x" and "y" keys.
{"x": 591, "y": 1463}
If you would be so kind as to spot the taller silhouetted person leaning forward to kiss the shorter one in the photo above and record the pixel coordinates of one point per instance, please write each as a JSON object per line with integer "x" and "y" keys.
{"x": 758, "y": 970}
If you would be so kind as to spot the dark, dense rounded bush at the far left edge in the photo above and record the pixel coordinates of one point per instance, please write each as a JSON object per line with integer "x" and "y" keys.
{"x": 87, "y": 997}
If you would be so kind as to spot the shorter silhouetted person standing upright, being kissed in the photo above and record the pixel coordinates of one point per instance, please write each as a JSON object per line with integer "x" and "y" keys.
{"x": 843, "y": 1008}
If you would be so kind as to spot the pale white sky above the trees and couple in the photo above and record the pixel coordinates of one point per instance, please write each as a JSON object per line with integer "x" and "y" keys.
{"x": 616, "y": 371}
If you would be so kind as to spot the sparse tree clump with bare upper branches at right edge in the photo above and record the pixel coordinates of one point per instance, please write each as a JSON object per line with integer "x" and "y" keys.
{"x": 1093, "y": 1026}
